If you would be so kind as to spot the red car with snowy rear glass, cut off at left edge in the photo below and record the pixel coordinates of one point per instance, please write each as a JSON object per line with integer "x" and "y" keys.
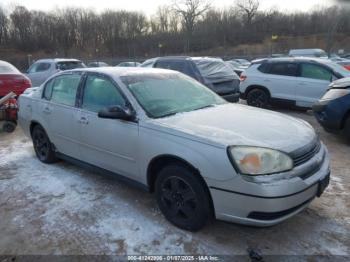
{"x": 11, "y": 79}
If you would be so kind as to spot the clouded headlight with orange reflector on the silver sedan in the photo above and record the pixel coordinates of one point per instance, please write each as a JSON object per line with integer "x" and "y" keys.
{"x": 259, "y": 161}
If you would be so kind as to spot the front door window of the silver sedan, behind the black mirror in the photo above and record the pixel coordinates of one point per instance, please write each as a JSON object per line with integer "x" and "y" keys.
{"x": 100, "y": 93}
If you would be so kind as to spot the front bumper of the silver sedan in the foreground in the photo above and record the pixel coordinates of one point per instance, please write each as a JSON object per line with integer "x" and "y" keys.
{"x": 268, "y": 204}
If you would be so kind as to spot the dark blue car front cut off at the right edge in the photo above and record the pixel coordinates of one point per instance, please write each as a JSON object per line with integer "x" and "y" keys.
{"x": 333, "y": 109}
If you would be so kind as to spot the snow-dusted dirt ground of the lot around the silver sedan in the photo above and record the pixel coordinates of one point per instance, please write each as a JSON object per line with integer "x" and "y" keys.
{"x": 64, "y": 209}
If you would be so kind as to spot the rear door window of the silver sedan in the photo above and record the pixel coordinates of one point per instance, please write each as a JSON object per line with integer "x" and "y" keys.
{"x": 64, "y": 89}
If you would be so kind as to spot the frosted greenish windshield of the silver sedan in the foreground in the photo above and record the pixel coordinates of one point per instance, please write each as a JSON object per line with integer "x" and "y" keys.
{"x": 166, "y": 94}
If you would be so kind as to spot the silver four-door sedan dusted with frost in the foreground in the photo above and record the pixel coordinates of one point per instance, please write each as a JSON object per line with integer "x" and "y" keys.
{"x": 203, "y": 157}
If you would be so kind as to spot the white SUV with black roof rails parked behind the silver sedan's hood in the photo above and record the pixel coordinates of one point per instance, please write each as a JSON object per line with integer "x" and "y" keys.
{"x": 296, "y": 82}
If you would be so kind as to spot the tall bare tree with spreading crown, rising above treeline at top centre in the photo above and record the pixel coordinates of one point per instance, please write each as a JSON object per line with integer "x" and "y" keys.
{"x": 190, "y": 11}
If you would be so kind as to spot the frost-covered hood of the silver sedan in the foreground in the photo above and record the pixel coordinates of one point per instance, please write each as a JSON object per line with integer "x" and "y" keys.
{"x": 233, "y": 124}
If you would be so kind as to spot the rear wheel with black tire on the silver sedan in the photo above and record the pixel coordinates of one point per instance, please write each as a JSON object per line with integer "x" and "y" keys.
{"x": 42, "y": 146}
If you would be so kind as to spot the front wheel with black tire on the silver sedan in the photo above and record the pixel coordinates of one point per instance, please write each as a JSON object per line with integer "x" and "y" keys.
{"x": 182, "y": 197}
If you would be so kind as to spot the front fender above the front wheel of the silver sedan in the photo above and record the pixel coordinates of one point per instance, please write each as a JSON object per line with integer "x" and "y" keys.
{"x": 211, "y": 161}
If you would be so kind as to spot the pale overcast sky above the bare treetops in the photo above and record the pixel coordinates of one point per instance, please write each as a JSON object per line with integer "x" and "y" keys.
{"x": 149, "y": 6}
